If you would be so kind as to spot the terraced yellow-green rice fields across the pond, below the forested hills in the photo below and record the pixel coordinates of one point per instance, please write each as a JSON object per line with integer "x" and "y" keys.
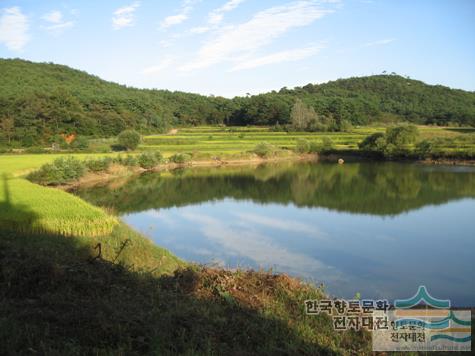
{"x": 221, "y": 141}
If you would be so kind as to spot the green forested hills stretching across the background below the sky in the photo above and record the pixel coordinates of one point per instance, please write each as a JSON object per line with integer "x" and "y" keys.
{"x": 38, "y": 100}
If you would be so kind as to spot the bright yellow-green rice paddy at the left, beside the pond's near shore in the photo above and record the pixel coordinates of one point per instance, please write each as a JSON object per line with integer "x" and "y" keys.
{"x": 27, "y": 207}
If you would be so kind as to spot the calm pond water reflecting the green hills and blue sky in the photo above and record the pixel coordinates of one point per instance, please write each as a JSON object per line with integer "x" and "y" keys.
{"x": 377, "y": 229}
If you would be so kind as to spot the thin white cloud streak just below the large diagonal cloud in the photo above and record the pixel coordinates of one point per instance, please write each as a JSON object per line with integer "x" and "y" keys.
{"x": 278, "y": 57}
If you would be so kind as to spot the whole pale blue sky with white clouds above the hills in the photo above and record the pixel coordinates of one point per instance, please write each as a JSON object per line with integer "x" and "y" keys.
{"x": 234, "y": 47}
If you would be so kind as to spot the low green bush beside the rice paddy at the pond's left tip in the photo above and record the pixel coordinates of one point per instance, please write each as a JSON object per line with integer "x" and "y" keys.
{"x": 62, "y": 170}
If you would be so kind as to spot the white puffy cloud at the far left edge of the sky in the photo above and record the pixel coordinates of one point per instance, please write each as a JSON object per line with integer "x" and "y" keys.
{"x": 14, "y": 28}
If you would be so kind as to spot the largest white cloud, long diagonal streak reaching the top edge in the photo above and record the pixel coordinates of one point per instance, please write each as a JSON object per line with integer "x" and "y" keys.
{"x": 262, "y": 29}
